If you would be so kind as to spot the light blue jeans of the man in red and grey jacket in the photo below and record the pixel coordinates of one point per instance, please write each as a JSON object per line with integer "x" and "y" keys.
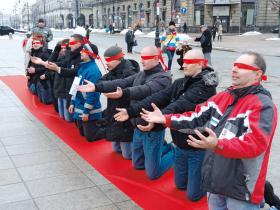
{"x": 220, "y": 202}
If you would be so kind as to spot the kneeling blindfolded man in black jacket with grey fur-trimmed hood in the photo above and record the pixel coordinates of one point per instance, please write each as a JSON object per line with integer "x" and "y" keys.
{"x": 183, "y": 95}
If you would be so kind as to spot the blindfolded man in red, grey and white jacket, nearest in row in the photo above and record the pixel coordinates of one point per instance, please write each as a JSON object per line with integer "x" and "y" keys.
{"x": 240, "y": 123}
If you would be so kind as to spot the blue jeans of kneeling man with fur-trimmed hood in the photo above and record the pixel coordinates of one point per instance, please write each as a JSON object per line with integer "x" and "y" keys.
{"x": 187, "y": 169}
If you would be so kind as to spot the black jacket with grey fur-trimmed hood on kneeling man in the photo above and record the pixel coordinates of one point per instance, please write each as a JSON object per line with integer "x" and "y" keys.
{"x": 183, "y": 95}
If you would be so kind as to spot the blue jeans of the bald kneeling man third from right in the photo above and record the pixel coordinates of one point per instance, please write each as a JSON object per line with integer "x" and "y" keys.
{"x": 147, "y": 152}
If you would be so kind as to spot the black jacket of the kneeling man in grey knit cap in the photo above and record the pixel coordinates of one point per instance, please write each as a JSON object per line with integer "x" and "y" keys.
{"x": 118, "y": 131}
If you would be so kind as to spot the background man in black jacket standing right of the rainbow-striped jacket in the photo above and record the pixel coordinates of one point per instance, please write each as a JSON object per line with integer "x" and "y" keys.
{"x": 206, "y": 42}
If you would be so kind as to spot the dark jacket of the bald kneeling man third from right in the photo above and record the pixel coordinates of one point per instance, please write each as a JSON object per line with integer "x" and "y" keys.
{"x": 138, "y": 86}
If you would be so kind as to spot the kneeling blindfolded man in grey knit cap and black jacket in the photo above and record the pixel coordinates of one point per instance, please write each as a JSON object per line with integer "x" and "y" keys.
{"x": 120, "y": 134}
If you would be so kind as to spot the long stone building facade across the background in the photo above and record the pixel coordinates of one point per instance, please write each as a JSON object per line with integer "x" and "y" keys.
{"x": 234, "y": 15}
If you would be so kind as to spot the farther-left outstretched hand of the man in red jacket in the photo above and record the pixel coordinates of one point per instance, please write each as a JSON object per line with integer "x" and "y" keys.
{"x": 153, "y": 117}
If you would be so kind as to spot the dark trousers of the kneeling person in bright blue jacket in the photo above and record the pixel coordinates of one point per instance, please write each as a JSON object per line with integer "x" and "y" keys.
{"x": 90, "y": 130}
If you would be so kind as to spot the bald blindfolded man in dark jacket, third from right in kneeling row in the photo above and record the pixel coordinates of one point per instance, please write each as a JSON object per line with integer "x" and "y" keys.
{"x": 135, "y": 88}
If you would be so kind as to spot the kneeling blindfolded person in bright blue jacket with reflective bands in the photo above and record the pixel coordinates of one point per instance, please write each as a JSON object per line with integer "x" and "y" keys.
{"x": 86, "y": 107}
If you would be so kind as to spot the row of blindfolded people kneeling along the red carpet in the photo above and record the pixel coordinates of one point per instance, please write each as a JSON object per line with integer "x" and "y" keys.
{"x": 220, "y": 142}
